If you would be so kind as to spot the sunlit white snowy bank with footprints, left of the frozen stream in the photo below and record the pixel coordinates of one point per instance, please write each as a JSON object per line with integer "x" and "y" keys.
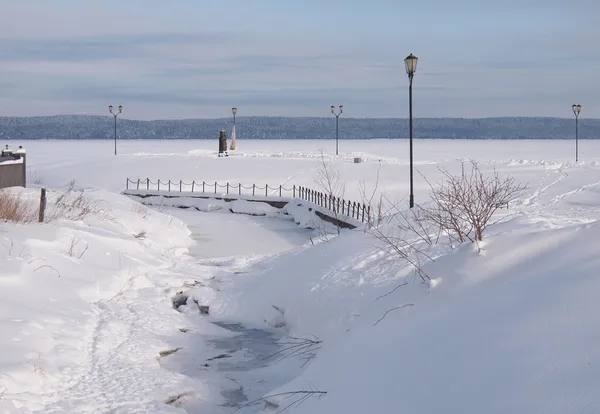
{"x": 82, "y": 317}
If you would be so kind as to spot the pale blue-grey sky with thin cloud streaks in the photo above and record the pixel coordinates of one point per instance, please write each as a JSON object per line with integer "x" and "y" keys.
{"x": 199, "y": 58}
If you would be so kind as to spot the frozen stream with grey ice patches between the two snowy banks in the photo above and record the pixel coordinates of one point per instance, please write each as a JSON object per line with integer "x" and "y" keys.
{"x": 234, "y": 359}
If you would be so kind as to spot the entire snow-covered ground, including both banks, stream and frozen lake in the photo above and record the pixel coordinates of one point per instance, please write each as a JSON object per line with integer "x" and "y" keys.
{"x": 104, "y": 312}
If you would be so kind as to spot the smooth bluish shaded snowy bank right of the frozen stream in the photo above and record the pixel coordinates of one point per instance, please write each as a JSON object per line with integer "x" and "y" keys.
{"x": 512, "y": 329}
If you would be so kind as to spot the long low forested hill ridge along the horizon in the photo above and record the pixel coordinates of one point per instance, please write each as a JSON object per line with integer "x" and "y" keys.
{"x": 101, "y": 127}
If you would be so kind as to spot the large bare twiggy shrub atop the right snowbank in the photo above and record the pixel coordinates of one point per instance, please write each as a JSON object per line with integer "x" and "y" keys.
{"x": 464, "y": 205}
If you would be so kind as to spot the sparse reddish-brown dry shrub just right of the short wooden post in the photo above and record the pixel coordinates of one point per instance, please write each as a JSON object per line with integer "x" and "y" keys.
{"x": 74, "y": 204}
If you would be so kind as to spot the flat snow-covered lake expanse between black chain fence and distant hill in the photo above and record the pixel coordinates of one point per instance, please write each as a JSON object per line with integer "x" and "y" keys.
{"x": 293, "y": 162}
